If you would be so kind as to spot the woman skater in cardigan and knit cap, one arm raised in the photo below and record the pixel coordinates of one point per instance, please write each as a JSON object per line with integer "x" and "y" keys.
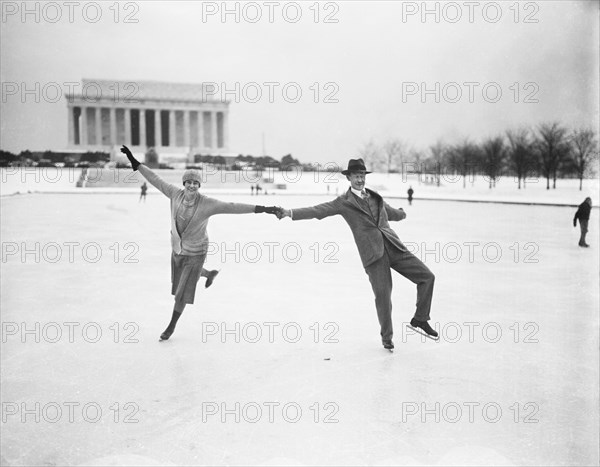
{"x": 190, "y": 212}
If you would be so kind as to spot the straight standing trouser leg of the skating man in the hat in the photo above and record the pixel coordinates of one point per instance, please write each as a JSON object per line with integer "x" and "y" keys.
{"x": 381, "y": 282}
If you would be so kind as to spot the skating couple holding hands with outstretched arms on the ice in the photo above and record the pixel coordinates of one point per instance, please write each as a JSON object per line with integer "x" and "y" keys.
{"x": 365, "y": 211}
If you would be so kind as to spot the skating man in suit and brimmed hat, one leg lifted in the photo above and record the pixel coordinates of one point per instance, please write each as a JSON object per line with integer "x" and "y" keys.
{"x": 379, "y": 247}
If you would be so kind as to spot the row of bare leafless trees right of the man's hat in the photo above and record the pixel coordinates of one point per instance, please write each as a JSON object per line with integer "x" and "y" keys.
{"x": 550, "y": 150}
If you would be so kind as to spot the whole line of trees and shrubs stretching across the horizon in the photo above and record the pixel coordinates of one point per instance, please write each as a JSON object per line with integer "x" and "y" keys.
{"x": 550, "y": 150}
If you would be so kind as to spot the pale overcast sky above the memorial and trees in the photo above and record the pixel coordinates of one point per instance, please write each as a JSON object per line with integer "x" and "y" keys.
{"x": 375, "y": 59}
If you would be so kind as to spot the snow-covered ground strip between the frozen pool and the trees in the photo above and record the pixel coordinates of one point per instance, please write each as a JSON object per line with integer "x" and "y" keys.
{"x": 296, "y": 182}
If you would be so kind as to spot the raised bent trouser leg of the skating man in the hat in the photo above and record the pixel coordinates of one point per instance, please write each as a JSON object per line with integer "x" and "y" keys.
{"x": 414, "y": 270}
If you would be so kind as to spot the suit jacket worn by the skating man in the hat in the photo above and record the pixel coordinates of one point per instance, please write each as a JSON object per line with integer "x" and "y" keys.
{"x": 369, "y": 233}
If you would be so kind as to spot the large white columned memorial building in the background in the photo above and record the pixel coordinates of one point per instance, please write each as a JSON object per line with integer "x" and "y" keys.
{"x": 175, "y": 119}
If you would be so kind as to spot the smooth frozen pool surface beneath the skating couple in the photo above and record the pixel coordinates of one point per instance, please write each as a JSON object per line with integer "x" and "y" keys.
{"x": 528, "y": 396}
